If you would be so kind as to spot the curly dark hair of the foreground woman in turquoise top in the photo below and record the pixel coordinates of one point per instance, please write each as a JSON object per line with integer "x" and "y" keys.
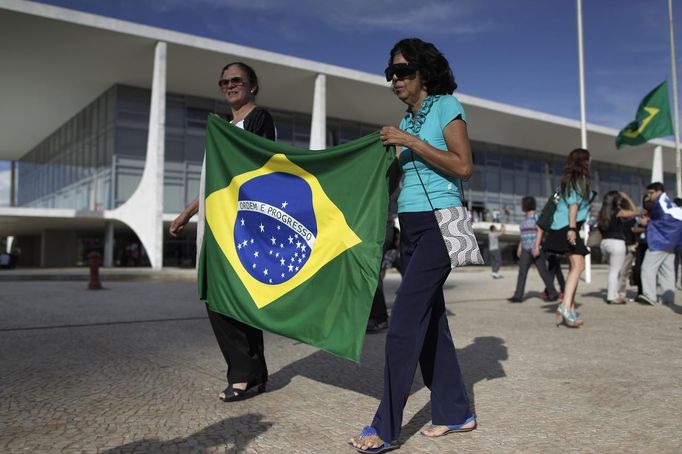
{"x": 434, "y": 69}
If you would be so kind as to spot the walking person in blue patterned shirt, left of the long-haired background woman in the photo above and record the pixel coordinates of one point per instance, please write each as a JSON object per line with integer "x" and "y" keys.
{"x": 528, "y": 255}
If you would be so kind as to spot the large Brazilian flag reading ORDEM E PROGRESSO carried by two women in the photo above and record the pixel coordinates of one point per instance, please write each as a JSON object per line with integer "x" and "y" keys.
{"x": 293, "y": 238}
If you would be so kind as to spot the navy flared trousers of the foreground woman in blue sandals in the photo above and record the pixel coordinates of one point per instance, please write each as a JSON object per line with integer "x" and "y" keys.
{"x": 419, "y": 333}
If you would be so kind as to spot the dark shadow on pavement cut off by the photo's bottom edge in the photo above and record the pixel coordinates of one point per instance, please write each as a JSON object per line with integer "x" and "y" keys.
{"x": 223, "y": 433}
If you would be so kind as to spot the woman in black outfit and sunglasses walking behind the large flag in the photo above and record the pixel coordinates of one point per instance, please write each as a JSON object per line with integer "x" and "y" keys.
{"x": 241, "y": 344}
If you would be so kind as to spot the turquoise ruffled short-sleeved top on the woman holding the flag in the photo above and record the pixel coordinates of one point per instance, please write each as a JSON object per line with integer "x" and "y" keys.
{"x": 436, "y": 112}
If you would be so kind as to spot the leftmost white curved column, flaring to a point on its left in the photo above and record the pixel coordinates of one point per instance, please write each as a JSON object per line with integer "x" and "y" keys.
{"x": 143, "y": 211}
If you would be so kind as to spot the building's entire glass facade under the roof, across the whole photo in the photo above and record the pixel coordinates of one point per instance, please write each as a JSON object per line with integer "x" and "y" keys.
{"x": 96, "y": 159}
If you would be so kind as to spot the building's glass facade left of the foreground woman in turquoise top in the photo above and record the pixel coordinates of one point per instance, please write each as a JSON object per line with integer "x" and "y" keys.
{"x": 95, "y": 161}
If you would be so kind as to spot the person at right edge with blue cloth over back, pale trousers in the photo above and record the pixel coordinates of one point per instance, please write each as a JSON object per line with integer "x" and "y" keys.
{"x": 664, "y": 235}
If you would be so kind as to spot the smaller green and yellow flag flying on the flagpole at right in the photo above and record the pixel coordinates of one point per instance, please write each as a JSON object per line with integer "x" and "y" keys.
{"x": 653, "y": 119}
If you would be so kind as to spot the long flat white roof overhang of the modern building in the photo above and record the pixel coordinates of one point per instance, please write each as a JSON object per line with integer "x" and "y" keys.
{"x": 60, "y": 60}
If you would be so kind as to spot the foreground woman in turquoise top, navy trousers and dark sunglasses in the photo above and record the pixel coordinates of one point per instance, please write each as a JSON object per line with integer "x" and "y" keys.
{"x": 434, "y": 152}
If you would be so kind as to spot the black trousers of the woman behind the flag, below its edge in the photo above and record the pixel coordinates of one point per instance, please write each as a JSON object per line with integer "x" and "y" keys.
{"x": 242, "y": 348}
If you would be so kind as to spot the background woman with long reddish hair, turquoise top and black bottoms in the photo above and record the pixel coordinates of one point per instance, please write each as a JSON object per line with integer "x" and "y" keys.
{"x": 563, "y": 237}
